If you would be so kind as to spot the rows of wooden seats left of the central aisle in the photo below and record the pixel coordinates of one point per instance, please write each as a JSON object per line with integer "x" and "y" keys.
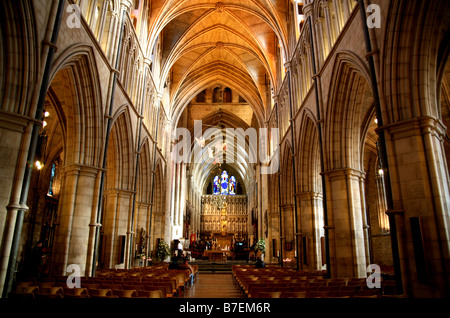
{"x": 144, "y": 282}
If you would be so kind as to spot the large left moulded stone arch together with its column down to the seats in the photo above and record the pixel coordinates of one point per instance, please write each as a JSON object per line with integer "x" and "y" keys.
{"x": 76, "y": 98}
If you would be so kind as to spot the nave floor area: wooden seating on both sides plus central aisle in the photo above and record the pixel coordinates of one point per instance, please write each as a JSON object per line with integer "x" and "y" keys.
{"x": 243, "y": 281}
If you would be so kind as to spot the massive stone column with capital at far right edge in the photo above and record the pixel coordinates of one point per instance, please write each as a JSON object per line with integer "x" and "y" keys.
{"x": 420, "y": 188}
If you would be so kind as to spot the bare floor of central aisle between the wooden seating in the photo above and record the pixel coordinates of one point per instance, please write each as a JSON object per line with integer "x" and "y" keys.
{"x": 213, "y": 286}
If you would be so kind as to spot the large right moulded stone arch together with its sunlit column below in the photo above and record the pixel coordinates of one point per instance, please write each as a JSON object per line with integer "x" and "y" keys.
{"x": 351, "y": 99}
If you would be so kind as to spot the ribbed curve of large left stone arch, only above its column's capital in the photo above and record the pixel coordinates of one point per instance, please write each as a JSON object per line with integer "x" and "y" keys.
{"x": 75, "y": 82}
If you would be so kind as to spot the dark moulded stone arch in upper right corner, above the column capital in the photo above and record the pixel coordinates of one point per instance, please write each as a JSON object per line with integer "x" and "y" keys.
{"x": 411, "y": 58}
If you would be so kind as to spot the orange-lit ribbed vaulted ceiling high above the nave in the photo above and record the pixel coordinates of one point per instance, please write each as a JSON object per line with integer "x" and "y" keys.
{"x": 230, "y": 42}
